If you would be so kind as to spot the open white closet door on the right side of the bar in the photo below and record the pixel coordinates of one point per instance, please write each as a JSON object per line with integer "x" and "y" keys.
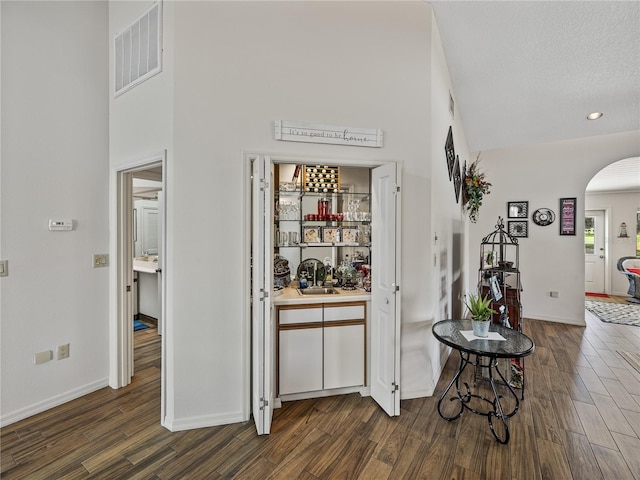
{"x": 385, "y": 296}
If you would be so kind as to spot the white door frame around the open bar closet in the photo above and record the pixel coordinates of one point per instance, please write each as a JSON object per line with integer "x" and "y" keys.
{"x": 295, "y": 159}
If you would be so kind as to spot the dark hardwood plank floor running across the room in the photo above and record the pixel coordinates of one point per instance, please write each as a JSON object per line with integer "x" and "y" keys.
{"x": 580, "y": 420}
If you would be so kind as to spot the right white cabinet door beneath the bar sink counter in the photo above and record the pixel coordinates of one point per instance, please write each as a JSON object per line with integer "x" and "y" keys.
{"x": 343, "y": 356}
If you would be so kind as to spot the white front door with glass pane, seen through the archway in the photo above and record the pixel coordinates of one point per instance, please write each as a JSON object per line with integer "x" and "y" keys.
{"x": 594, "y": 251}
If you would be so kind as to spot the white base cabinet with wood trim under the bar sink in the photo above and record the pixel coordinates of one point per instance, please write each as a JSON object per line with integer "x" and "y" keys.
{"x": 320, "y": 346}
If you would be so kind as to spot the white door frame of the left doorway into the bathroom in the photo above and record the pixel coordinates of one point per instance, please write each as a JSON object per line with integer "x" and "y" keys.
{"x": 121, "y": 275}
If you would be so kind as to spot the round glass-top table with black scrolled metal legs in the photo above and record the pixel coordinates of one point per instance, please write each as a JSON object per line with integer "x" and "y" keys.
{"x": 482, "y": 353}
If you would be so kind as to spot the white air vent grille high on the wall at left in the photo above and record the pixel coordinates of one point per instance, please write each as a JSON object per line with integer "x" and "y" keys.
{"x": 138, "y": 51}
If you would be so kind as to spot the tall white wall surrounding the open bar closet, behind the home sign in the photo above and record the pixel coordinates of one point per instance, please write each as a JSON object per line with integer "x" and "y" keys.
{"x": 353, "y": 64}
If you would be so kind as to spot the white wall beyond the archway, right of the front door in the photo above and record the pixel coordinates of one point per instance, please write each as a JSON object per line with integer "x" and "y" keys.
{"x": 621, "y": 207}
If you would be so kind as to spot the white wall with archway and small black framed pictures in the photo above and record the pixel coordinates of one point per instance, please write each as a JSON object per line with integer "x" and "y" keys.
{"x": 541, "y": 175}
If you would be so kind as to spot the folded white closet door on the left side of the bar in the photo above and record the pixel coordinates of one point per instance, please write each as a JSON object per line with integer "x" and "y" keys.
{"x": 262, "y": 342}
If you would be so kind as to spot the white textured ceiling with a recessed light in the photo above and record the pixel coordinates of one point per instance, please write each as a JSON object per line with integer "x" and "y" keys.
{"x": 529, "y": 72}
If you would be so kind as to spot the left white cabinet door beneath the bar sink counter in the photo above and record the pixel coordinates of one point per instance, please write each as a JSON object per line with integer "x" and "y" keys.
{"x": 300, "y": 360}
